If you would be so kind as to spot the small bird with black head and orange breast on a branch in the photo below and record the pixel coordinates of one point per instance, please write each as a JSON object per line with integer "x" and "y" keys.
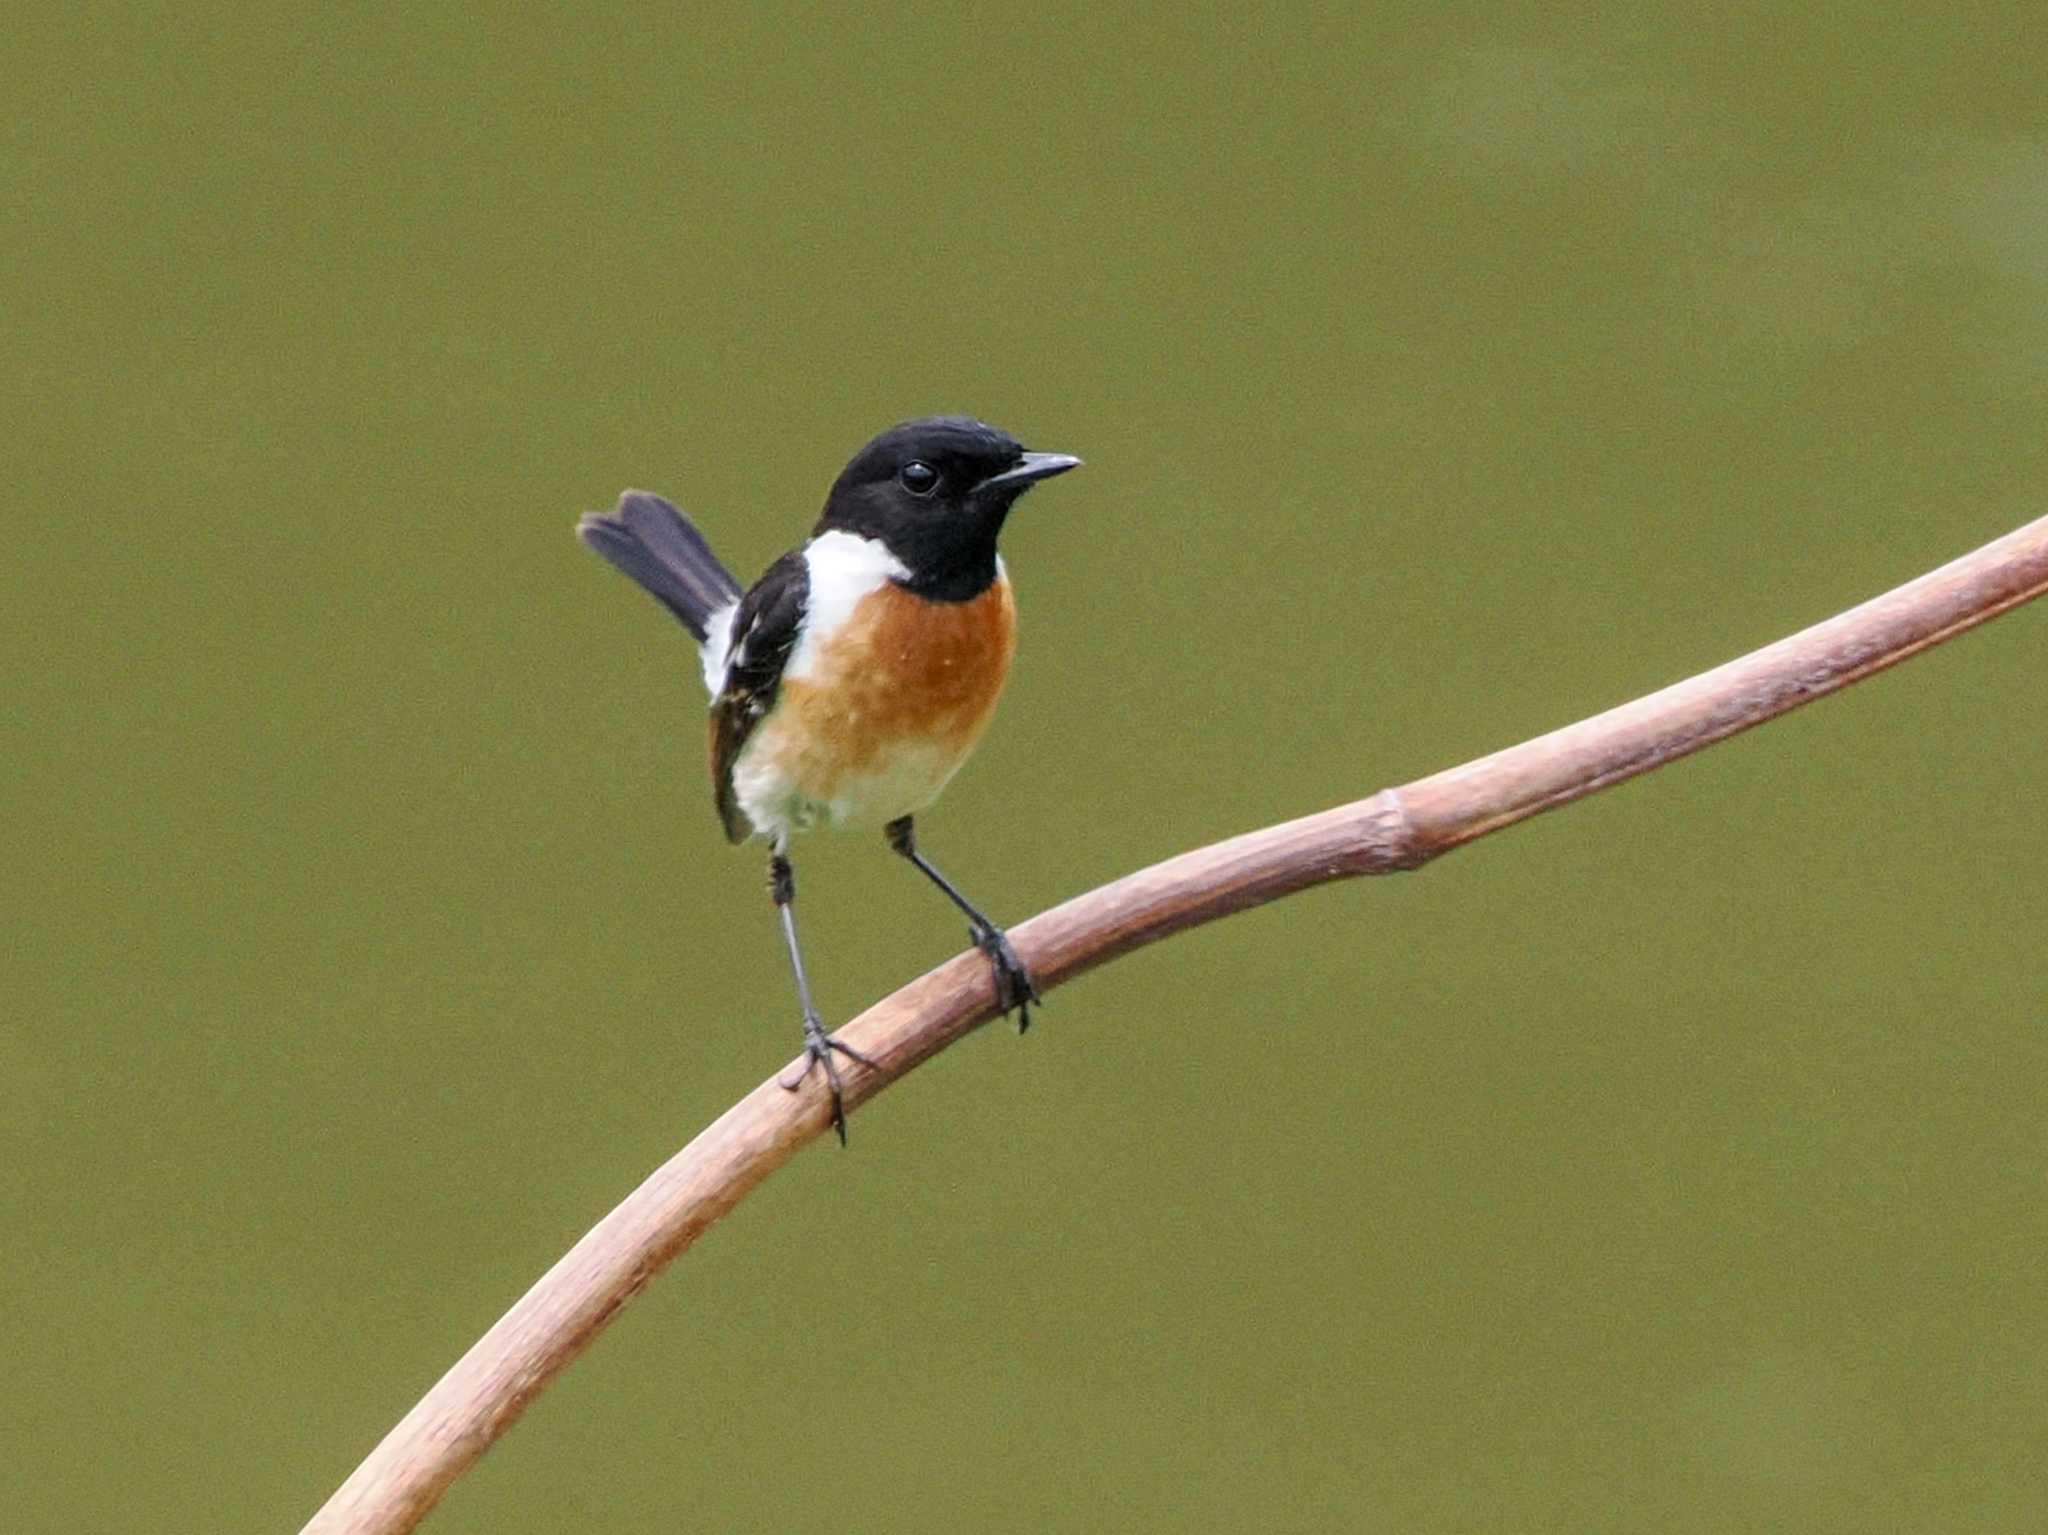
{"x": 853, "y": 681}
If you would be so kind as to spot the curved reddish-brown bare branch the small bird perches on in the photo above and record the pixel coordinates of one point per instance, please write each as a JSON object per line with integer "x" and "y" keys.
{"x": 1396, "y": 830}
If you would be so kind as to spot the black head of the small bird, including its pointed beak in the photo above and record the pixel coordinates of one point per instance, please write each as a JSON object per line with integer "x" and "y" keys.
{"x": 937, "y": 494}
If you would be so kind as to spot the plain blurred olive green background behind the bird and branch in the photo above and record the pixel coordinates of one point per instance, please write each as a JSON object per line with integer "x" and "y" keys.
{"x": 1445, "y": 374}
